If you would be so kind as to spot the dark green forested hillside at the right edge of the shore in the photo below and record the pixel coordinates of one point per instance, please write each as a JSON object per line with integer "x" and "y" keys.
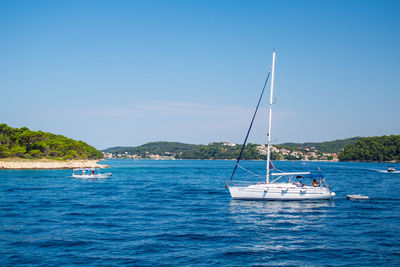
{"x": 382, "y": 148}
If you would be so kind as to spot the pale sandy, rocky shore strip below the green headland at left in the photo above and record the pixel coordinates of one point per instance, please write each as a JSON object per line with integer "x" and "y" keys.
{"x": 24, "y": 164}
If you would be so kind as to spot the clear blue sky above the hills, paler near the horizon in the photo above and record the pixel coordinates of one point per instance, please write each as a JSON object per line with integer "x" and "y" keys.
{"x": 129, "y": 72}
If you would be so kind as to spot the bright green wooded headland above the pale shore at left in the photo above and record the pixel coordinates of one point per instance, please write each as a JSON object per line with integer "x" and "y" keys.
{"x": 24, "y": 143}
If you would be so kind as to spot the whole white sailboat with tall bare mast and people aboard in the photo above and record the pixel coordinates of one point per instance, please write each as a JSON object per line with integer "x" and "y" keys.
{"x": 275, "y": 187}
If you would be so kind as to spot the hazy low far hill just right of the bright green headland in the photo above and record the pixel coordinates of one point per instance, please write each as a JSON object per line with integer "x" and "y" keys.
{"x": 160, "y": 148}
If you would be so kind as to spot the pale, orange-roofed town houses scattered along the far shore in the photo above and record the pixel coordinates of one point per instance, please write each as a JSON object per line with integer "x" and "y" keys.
{"x": 278, "y": 152}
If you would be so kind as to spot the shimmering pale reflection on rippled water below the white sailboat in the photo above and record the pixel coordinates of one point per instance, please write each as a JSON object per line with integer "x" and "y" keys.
{"x": 280, "y": 229}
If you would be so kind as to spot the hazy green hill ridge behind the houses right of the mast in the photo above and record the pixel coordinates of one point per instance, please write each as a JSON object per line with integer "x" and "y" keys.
{"x": 329, "y": 146}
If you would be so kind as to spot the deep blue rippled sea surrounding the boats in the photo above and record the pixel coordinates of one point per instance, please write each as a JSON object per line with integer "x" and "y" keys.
{"x": 178, "y": 213}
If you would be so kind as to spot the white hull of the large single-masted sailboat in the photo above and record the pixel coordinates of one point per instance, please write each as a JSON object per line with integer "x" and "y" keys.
{"x": 279, "y": 191}
